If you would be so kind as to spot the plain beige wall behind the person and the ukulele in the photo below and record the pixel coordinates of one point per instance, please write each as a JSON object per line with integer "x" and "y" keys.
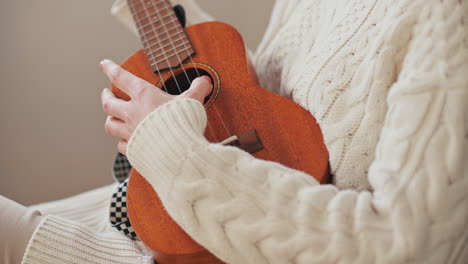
{"x": 52, "y": 139}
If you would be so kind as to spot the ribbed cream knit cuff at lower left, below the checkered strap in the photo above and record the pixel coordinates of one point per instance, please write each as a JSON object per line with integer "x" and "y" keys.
{"x": 59, "y": 240}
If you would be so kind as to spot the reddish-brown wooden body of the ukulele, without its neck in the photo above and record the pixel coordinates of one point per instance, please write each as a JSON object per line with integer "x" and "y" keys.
{"x": 289, "y": 134}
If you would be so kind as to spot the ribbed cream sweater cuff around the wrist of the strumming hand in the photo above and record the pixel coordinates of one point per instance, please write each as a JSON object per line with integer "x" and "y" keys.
{"x": 163, "y": 139}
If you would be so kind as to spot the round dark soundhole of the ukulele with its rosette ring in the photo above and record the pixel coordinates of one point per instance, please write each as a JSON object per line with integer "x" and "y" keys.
{"x": 177, "y": 81}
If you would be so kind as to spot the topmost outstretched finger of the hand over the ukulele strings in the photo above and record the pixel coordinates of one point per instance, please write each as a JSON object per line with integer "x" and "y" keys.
{"x": 122, "y": 79}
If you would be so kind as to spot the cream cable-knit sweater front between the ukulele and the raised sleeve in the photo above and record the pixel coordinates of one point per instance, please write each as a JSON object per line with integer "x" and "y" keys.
{"x": 338, "y": 59}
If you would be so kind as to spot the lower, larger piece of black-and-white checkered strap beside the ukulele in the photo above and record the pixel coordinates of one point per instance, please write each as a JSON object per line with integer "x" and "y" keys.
{"x": 118, "y": 212}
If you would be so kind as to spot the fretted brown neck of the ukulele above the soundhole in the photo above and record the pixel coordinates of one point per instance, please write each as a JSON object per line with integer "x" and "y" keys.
{"x": 164, "y": 39}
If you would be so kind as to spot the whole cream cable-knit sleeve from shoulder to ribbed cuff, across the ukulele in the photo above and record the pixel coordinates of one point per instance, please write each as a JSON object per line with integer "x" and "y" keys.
{"x": 247, "y": 210}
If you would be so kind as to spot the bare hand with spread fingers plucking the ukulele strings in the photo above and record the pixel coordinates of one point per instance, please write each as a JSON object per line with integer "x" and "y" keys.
{"x": 124, "y": 116}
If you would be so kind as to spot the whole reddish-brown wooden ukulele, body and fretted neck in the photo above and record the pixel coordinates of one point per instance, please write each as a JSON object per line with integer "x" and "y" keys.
{"x": 240, "y": 113}
